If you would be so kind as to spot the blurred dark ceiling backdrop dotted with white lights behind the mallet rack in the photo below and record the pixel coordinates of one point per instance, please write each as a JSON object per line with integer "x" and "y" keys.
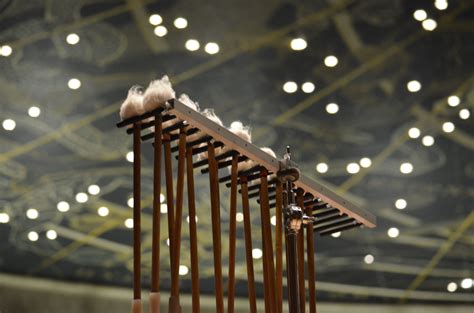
{"x": 374, "y": 96}
